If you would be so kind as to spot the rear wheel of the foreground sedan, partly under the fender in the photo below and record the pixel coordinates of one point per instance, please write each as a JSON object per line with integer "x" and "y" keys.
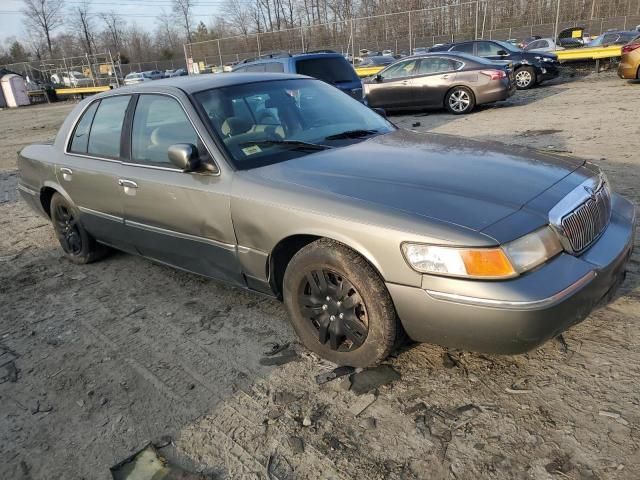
{"x": 78, "y": 245}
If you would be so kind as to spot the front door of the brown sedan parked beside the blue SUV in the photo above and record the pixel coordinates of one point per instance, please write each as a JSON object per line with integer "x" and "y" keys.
{"x": 396, "y": 88}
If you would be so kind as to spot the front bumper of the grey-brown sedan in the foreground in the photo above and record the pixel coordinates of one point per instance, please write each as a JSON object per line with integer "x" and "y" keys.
{"x": 517, "y": 315}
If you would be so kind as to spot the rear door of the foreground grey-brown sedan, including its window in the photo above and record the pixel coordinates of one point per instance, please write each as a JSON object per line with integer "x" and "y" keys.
{"x": 89, "y": 170}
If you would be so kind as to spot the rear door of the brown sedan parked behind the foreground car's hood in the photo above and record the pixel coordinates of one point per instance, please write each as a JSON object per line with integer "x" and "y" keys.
{"x": 436, "y": 75}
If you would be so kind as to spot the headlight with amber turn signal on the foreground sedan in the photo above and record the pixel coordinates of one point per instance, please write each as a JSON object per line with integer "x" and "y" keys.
{"x": 503, "y": 262}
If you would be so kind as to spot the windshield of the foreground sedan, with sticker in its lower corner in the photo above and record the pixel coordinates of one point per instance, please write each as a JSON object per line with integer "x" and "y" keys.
{"x": 268, "y": 122}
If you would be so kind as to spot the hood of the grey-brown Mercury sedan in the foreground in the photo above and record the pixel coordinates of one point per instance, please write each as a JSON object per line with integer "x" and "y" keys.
{"x": 455, "y": 180}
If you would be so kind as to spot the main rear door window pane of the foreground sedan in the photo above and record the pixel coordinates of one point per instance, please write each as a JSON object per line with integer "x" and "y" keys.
{"x": 104, "y": 139}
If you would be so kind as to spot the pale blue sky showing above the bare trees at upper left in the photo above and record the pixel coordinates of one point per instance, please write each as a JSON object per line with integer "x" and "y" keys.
{"x": 142, "y": 12}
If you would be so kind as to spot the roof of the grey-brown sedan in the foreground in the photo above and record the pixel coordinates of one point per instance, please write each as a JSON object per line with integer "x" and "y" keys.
{"x": 197, "y": 83}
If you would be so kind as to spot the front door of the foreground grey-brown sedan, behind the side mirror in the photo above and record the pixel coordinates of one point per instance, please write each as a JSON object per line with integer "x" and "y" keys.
{"x": 181, "y": 219}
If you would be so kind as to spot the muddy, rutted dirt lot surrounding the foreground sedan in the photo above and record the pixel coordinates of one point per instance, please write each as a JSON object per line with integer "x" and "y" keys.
{"x": 97, "y": 361}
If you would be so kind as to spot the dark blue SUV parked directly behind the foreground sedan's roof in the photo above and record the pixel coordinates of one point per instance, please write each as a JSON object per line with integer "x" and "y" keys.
{"x": 329, "y": 67}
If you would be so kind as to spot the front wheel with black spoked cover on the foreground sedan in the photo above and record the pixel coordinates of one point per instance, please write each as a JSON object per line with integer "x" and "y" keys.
{"x": 339, "y": 305}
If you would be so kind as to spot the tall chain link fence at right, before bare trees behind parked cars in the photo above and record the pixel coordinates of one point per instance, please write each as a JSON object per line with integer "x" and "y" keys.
{"x": 404, "y": 31}
